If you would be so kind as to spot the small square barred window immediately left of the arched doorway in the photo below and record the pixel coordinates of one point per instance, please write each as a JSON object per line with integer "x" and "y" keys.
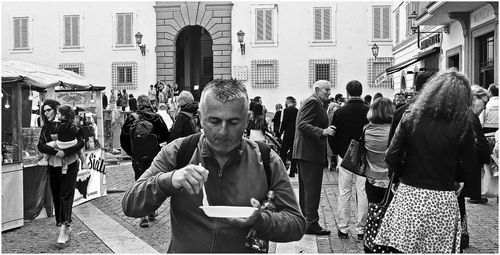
{"x": 124, "y": 75}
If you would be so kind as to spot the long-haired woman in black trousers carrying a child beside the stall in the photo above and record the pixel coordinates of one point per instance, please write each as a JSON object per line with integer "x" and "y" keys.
{"x": 62, "y": 185}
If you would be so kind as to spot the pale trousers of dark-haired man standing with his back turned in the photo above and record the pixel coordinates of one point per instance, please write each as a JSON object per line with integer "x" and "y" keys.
{"x": 346, "y": 179}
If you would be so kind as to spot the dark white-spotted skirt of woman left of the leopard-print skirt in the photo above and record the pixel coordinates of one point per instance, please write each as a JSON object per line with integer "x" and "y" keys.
{"x": 374, "y": 219}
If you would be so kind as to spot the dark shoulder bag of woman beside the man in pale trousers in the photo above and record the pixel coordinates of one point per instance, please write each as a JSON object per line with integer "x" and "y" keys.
{"x": 354, "y": 159}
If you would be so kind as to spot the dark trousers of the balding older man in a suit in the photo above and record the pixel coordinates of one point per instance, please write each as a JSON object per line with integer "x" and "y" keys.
{"x": 310, "y": 180}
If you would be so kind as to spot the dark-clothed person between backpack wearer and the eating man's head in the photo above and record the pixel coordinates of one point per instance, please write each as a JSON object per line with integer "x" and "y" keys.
{"x": 186, "y": 122}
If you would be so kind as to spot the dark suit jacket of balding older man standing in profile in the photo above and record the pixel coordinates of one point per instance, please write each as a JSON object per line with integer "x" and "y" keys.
{"x": 310, "y": 144}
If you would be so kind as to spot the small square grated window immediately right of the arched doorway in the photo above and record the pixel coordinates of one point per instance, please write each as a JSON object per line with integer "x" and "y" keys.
{"x": 265, "y": 74}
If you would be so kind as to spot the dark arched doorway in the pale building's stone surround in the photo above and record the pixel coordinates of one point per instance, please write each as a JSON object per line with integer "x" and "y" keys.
{"x": 193, "y": 59}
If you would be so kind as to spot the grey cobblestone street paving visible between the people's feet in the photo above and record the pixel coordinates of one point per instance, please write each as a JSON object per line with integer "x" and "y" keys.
{"x": 39, "y": 236}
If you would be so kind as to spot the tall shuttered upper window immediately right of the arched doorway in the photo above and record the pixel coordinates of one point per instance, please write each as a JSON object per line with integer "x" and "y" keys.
{"x": 264, "y": 25}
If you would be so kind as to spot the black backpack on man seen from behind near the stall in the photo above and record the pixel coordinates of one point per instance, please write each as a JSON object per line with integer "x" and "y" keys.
{"x": 143, "y": 140}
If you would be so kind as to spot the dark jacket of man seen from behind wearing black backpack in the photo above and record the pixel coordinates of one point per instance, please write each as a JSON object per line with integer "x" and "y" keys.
{"x": 160, "y": 128}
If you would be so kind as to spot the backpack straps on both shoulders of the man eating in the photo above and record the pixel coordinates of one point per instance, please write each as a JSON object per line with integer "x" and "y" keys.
{"x": 188, "y": 146}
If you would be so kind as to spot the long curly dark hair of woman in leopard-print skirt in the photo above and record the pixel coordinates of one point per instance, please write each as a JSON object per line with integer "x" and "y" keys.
{"x": 446, "y": 96}
